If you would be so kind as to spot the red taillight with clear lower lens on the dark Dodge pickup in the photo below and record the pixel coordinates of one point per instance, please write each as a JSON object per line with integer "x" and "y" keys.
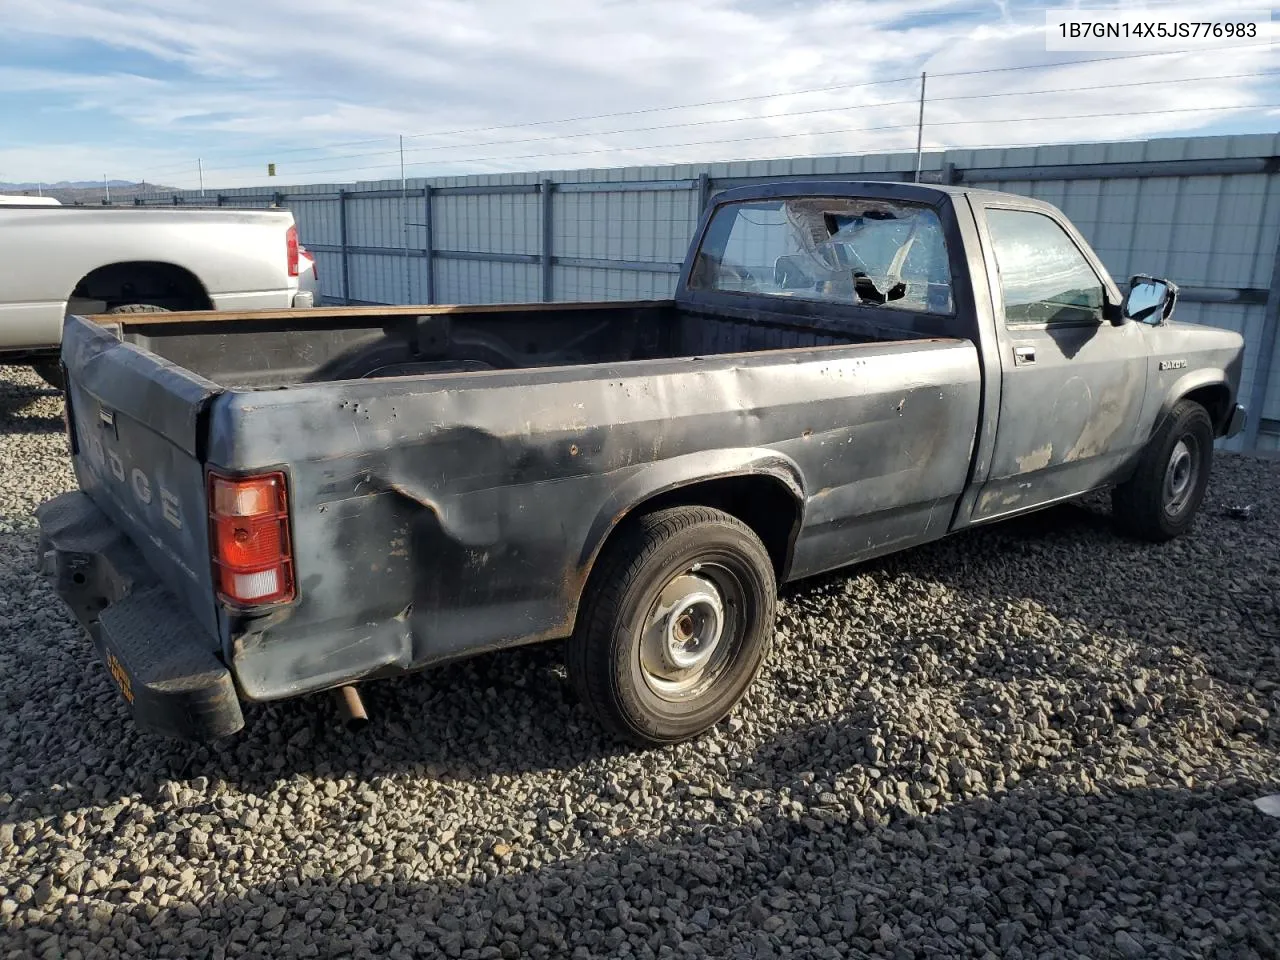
{"x": 249, "y": 527}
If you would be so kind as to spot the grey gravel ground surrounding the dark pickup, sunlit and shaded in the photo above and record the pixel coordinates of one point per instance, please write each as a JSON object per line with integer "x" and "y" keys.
{"x": 1031, "y": 742}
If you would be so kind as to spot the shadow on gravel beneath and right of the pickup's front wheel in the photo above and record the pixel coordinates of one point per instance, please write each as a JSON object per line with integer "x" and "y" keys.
{"x": 1191, "y": 596}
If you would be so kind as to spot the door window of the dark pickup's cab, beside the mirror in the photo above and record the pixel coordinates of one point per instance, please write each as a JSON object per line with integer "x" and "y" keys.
{"x": 1044, "y": 276}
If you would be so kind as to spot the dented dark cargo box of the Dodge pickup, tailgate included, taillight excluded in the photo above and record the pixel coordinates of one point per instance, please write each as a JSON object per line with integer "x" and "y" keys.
{"x": 459, "y": 506}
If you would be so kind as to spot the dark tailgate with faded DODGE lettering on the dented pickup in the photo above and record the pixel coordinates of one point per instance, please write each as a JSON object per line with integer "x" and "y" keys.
{"x": 138, "y": 426}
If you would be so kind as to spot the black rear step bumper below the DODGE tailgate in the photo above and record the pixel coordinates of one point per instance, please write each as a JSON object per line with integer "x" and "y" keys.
{"x": 159, "y": 659}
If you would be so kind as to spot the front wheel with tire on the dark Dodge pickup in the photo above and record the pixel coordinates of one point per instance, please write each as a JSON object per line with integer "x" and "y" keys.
{"x": 1160, "y": 501}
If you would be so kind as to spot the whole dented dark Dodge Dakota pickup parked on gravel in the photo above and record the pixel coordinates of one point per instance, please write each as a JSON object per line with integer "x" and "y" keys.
{"x": 273, "y": 506}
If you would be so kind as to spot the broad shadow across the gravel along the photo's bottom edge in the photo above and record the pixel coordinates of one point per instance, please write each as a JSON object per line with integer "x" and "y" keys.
{"x": 1117, "y": 874}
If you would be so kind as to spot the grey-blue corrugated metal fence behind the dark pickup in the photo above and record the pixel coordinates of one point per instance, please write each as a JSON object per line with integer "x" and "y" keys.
{"x": 1201, "y": 211}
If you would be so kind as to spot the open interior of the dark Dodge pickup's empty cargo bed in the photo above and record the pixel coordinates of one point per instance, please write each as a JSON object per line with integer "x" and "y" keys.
{"x": 267, "y": 350}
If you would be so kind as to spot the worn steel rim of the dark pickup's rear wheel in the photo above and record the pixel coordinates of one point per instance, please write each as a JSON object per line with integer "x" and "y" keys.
{"x": 689, "y": 634}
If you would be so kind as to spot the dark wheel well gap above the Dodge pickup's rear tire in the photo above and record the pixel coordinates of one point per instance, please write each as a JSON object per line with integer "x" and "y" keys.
{"x": 762, "y": 502}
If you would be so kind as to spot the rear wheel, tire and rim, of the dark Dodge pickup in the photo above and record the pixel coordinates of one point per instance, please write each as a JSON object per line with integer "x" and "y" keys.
{"x": 675, "y": 625}
